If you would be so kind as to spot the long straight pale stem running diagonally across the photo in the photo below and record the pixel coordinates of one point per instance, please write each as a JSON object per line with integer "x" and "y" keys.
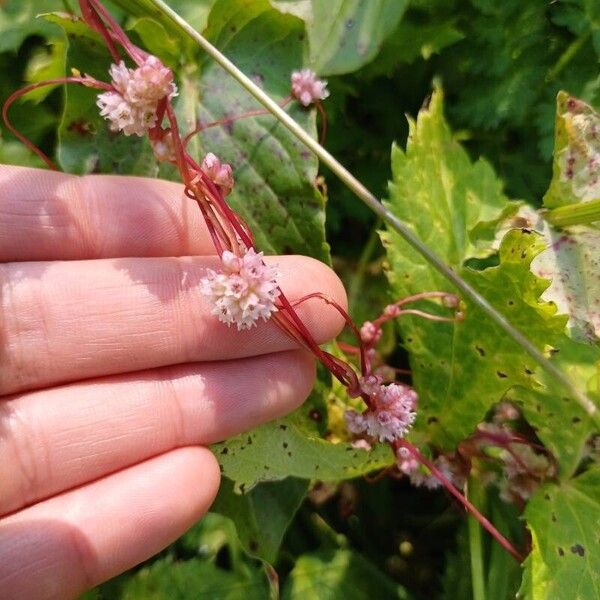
{"x": 379, "y": 209}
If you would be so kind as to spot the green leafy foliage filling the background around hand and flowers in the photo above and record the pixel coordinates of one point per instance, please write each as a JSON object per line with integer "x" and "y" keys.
{"x": 466, "y": 160}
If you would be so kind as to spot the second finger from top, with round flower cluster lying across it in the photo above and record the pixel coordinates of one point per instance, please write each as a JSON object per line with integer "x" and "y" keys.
{"x": 68, "y": 321}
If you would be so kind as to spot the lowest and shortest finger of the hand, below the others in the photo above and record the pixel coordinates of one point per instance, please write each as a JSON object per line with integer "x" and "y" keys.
{"x": 59, "y": 548}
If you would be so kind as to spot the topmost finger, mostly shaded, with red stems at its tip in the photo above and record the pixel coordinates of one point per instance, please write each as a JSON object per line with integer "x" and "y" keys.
{"x": 45, "y": 215}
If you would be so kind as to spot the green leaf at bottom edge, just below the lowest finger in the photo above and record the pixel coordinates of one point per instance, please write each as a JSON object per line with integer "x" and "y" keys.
{"x": 169, "y": 580}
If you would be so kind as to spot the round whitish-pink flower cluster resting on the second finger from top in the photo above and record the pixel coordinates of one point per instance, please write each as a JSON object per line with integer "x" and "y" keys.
{"x": 245, "y": 290}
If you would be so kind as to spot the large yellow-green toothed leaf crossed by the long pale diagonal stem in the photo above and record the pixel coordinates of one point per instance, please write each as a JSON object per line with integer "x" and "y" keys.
{"x": 460, "y": 370}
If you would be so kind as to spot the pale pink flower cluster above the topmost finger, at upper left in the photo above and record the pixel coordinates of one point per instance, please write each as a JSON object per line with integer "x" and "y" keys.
{"x": 131, "y": 106}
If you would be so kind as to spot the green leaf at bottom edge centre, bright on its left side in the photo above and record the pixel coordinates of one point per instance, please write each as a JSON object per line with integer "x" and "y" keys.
{"x": 339, "y": 575}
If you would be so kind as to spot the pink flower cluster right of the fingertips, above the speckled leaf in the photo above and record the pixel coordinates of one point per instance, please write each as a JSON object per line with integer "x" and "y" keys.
{"x": 391, "y": 414}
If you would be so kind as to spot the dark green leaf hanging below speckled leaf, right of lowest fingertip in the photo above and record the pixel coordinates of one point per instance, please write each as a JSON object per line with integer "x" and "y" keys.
{"x": 262, "y": 515}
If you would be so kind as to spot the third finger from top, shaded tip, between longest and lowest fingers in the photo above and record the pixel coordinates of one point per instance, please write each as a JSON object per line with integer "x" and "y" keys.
{"x": 56, "y": 439}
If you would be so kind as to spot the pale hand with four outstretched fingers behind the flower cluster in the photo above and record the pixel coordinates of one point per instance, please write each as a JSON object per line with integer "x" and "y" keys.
{"x": 114, "y": 376}
